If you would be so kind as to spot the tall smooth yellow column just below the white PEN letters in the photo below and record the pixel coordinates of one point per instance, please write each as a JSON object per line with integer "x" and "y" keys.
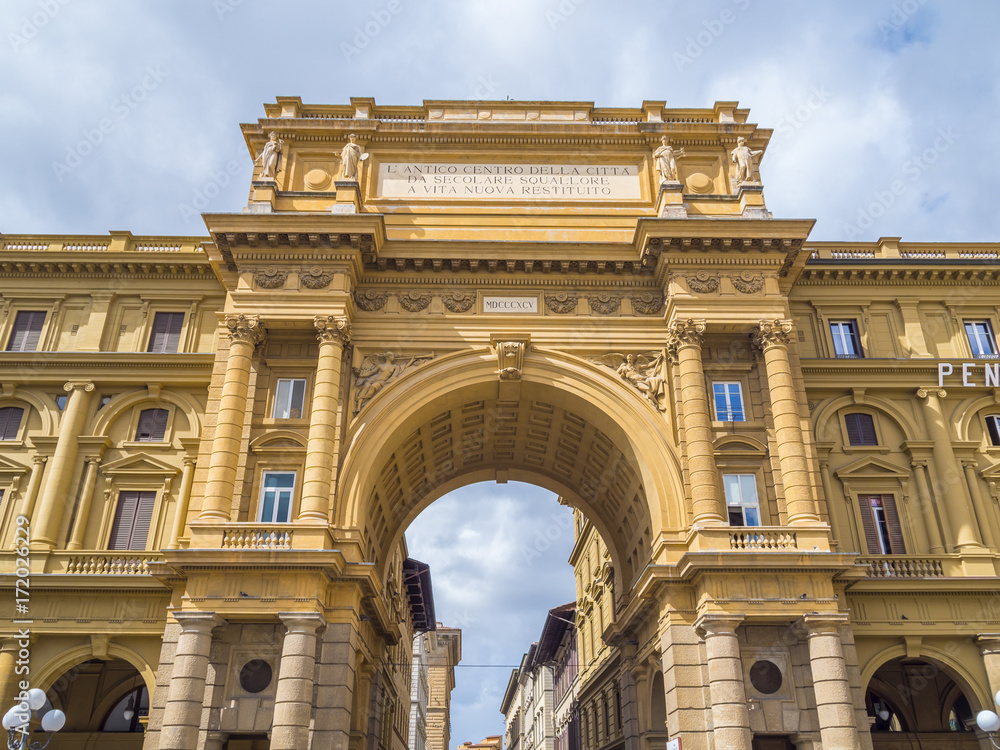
{"x": 953, "y": 495}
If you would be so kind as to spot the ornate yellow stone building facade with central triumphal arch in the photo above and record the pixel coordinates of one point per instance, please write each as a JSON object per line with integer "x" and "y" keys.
{"x": 503, "y": 291}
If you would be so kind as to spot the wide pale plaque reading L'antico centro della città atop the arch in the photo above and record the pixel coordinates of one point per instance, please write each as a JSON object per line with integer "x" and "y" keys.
{"x": 509, "y": 181}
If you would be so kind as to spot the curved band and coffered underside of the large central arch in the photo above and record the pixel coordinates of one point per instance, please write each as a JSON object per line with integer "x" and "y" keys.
{"x": 572, "y": 429}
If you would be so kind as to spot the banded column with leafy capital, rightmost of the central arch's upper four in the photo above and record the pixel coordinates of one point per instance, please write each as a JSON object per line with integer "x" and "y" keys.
{"x": 771, "y": 337}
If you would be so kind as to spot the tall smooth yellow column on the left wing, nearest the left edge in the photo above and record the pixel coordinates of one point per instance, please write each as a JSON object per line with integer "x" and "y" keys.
{"x": 49, "y": 513}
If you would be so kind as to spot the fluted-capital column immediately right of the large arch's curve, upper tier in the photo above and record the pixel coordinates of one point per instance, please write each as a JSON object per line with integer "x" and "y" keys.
{"x": 684, "y": 340}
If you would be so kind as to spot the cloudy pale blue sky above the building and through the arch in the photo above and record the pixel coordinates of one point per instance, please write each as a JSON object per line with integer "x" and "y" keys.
{"x": 883, "y": 114}
